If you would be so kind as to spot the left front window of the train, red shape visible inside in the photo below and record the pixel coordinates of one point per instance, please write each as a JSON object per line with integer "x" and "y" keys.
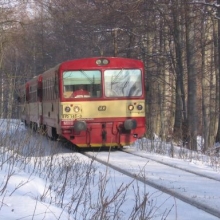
{"x": 82, "y": 84}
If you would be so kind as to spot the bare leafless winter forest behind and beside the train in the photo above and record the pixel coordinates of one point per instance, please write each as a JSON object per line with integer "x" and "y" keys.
{"x": 178, "y": 41}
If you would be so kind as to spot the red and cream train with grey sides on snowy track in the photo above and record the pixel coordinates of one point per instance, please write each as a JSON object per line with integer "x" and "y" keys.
{"x": 91, "y": 102}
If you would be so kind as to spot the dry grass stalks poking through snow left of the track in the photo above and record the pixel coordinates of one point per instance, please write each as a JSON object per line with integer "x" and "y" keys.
{"x": 76, "y": 186}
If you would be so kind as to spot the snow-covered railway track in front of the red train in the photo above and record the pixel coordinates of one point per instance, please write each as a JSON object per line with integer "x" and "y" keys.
{"x": 191, "y": 187}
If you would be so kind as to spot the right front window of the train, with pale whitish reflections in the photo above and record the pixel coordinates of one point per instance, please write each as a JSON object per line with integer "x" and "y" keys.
{"x": 123, "y": 83}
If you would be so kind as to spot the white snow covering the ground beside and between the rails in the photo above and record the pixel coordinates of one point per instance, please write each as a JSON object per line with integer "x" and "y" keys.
{"x": 32, "y": 183}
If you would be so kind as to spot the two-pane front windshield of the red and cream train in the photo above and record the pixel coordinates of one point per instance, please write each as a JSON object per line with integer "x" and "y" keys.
{"x": 88, "y": 83}
